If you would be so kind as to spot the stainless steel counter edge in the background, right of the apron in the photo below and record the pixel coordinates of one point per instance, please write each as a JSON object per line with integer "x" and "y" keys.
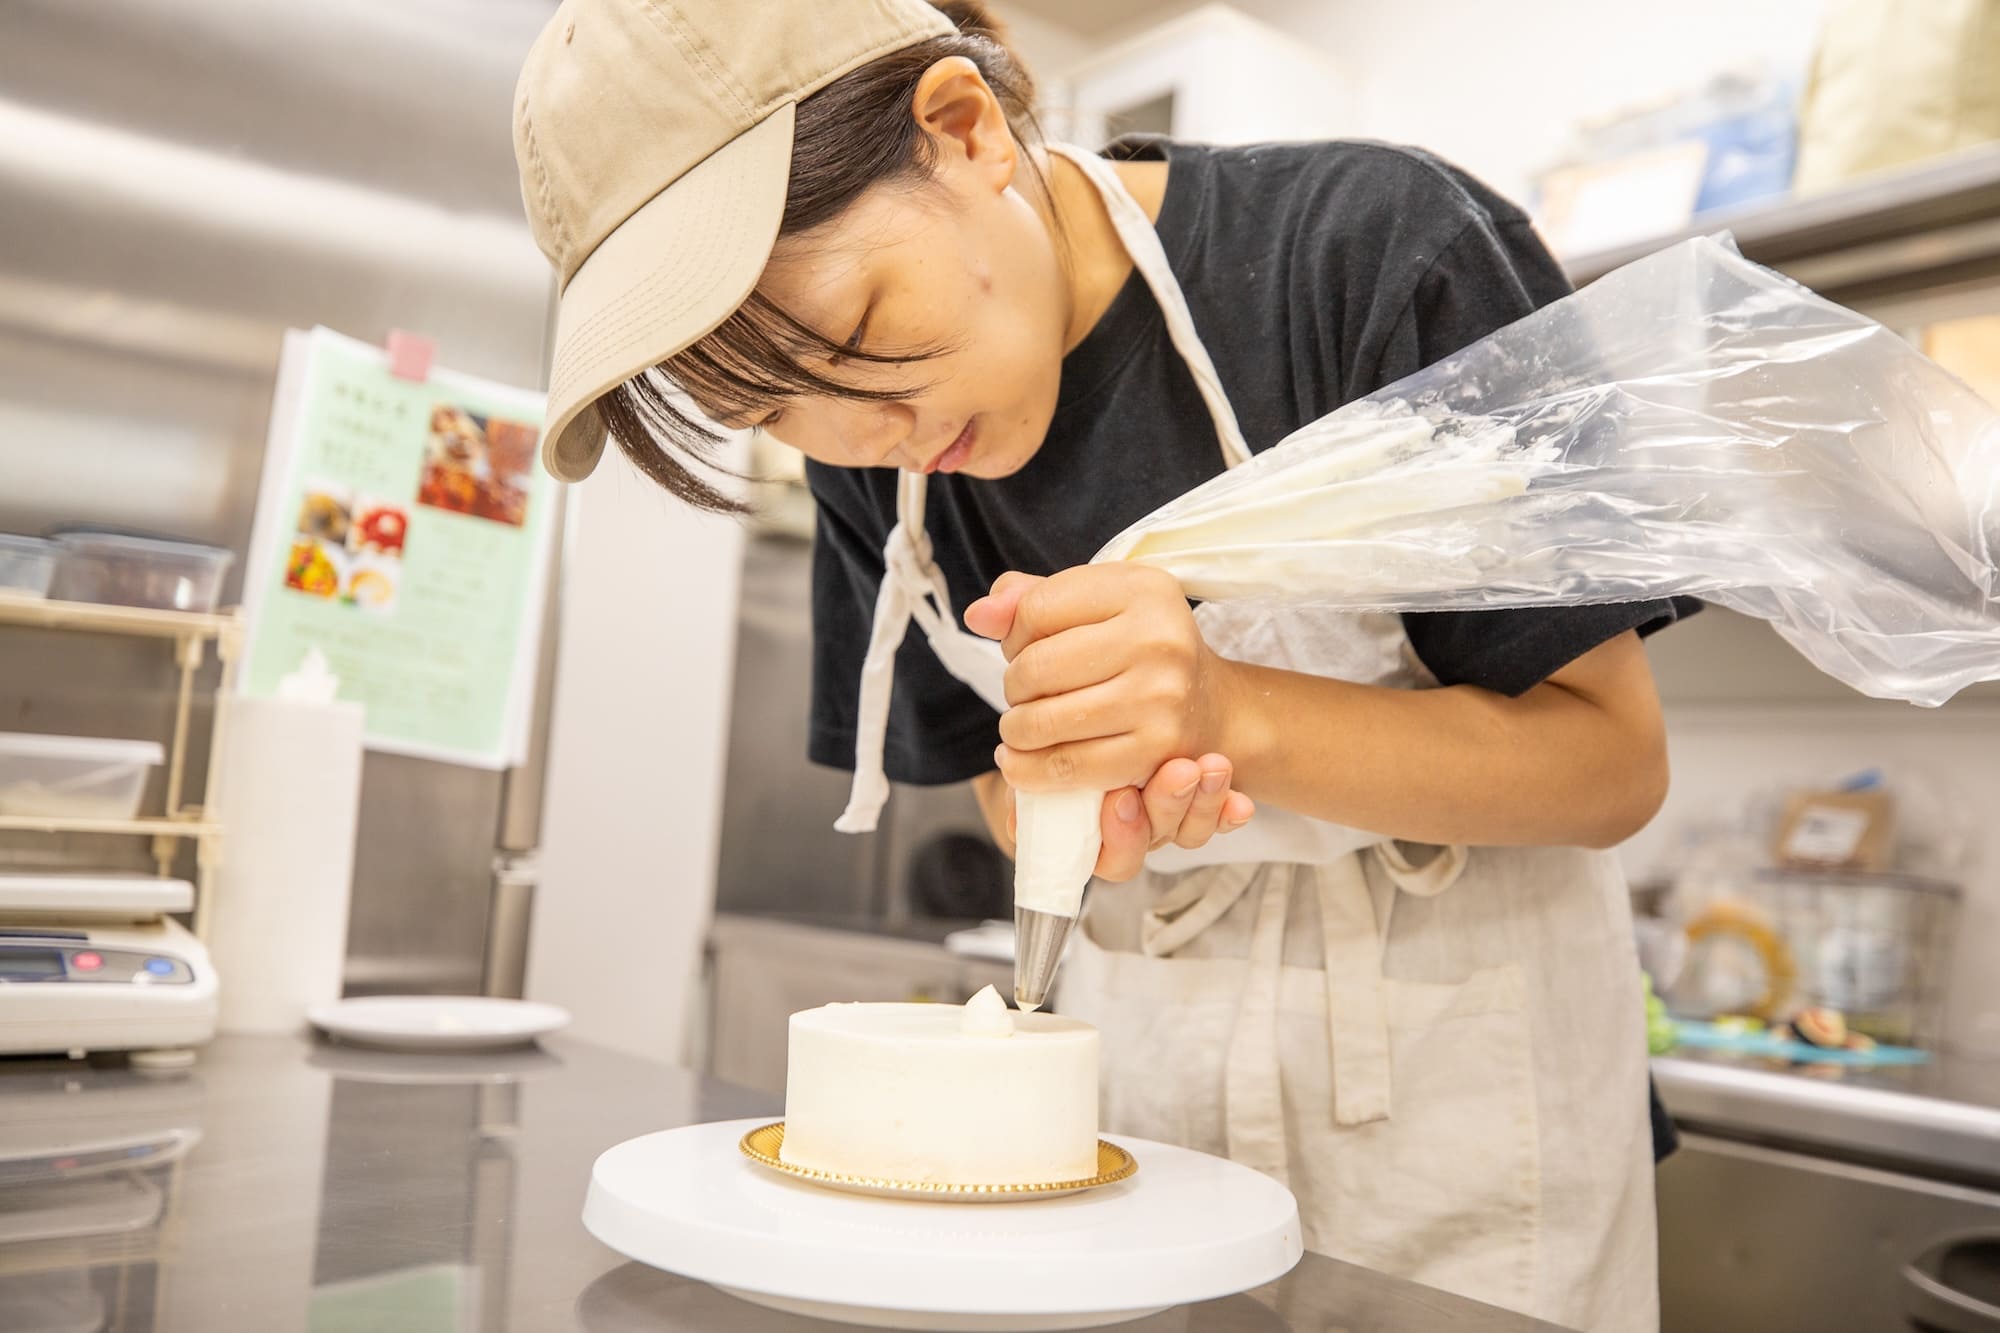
{"x": 1939, "y": 1120}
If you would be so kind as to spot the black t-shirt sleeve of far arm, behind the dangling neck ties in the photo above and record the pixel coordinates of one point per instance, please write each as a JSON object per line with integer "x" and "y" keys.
{"x": 939, "y": 730}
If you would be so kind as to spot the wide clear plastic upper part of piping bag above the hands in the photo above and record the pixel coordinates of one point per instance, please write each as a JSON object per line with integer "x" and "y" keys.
{"x": 1687, "y": 425}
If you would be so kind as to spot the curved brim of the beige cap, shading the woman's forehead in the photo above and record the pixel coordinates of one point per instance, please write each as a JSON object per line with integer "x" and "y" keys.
{"x": 663, "y": 279}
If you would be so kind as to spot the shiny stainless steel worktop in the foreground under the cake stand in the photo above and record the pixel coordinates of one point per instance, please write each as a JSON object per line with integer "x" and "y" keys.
{"x": 283, "y": 1184}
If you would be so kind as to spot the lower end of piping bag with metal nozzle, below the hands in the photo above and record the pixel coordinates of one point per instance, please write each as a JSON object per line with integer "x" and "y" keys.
{"x": 1057, "y": 842}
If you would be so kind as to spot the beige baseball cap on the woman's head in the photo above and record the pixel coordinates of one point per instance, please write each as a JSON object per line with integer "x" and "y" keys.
{"x": 655, "y": 145}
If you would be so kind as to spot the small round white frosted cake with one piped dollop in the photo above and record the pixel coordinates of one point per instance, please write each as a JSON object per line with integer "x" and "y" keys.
{"x": 937, "y": 1094}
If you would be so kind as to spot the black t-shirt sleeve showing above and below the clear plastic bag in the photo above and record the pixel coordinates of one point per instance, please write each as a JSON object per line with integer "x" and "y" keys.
{"x": 1493, "y": 273}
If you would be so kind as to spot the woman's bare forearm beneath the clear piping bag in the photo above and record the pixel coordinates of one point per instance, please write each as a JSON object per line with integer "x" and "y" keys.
{"x": 1557, "y": 766}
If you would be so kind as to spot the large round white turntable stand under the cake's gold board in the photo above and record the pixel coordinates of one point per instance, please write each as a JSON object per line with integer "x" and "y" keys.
{"x": 1185, "y": 1228}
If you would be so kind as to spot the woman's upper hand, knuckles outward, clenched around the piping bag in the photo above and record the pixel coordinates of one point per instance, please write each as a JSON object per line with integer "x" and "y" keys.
{"x": 1107, "y": 682}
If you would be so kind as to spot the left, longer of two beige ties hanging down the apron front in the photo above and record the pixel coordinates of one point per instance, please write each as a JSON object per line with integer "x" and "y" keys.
{"x": 1253, "y": 1082}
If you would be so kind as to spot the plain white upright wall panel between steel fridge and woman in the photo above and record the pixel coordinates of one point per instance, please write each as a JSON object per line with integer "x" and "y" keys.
{"x": 635, "y": 766}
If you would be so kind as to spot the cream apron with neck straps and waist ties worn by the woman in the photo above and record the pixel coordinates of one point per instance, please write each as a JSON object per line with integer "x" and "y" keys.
{"x": 1441, "y": 1052}
